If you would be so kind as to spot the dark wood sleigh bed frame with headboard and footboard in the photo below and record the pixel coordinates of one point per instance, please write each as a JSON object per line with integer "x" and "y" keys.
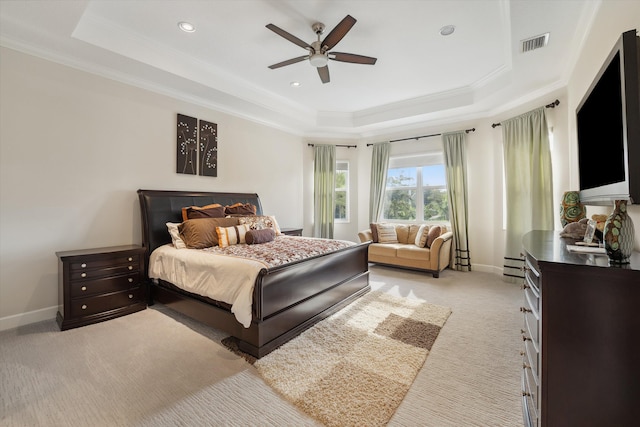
{"x": 286, "y": 299}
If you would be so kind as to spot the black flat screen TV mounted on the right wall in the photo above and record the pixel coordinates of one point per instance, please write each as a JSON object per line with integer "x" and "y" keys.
{"x": 608, "y": 124}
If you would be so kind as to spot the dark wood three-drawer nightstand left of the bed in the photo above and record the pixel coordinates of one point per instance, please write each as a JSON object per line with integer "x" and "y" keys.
{"x": 99, "y": 284}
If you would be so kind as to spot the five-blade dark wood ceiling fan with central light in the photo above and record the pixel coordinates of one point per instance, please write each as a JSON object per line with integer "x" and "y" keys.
{"x": 319, "y": 54}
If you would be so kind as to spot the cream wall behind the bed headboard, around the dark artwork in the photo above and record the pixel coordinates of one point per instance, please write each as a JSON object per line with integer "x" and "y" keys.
{"x": 74, "y": 149}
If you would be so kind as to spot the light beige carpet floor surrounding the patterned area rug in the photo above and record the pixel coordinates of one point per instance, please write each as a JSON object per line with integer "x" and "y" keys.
{"x": 158, "y": 368}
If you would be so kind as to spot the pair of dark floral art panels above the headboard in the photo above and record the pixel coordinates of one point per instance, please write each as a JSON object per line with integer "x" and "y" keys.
{"x": 197, "y": 146}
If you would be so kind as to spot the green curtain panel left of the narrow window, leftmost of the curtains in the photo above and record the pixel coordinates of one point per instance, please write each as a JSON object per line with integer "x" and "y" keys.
{"x": 324, "y": 184}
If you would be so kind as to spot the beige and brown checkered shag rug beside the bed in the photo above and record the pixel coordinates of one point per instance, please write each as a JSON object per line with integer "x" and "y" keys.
{"x": 355, "y": 367}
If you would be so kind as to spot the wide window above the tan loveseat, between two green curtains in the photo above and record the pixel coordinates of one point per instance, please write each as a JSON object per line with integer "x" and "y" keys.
{"x": 416, "y": 189}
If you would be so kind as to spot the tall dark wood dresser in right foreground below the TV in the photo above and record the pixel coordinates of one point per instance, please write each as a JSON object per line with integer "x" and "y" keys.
{"x": 581, "y": 336}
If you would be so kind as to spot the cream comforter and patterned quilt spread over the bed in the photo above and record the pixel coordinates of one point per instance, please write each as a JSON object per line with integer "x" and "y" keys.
{"x": 230, "y": 278}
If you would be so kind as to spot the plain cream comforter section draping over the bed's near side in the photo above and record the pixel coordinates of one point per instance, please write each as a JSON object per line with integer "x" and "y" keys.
{"x": 222, "y": 278}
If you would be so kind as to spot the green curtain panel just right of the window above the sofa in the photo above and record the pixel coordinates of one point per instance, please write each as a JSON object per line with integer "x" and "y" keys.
{"x": 455, "y": 158}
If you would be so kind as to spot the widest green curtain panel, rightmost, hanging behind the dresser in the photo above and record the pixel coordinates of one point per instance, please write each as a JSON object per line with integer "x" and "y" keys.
{"x": 528, "y": 181}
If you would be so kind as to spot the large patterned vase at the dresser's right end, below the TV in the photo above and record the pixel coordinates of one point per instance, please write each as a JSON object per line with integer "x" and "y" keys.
{"x": 618, "y": 234}
